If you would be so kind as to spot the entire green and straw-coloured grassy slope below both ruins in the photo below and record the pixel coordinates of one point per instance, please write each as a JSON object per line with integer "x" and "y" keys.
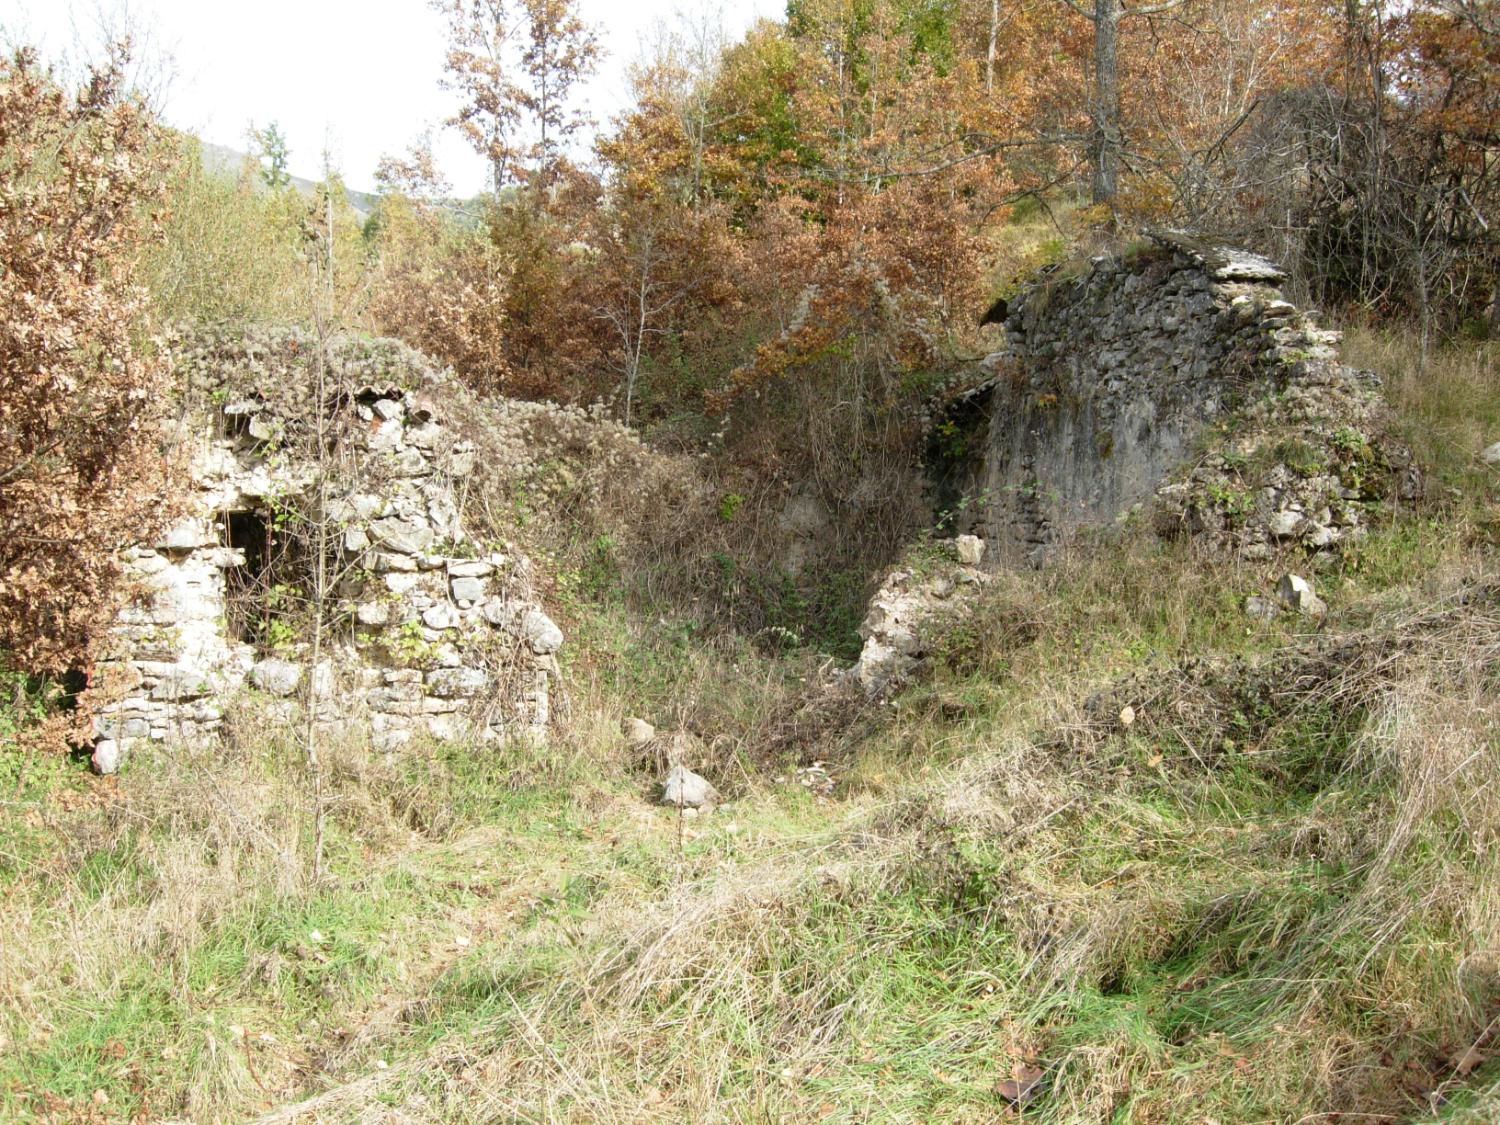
{"x": 1271, "y": 898}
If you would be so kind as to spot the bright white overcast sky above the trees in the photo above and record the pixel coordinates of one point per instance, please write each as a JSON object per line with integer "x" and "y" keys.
{"x": 359, "y": 77}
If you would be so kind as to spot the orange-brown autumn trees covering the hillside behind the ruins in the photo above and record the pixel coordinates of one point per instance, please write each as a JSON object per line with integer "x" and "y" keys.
{"x": 854, "y": 160}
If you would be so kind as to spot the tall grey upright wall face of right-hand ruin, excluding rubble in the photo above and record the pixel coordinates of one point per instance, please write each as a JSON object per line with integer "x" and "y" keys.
{"x": 1111, "y": 376}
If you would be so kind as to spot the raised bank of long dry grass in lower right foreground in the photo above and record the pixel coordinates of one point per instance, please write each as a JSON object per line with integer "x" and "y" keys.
{"x": 1166, "y": 940}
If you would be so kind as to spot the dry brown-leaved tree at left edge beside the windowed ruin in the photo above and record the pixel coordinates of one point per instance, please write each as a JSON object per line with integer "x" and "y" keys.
{"x": 80, "y": 470}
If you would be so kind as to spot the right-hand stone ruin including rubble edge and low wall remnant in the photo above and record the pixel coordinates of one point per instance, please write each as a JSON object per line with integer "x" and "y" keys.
{"x": 1172, "y": 380}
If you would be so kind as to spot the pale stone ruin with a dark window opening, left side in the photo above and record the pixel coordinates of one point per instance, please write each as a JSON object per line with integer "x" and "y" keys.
{"x": 427, "y": 631}
